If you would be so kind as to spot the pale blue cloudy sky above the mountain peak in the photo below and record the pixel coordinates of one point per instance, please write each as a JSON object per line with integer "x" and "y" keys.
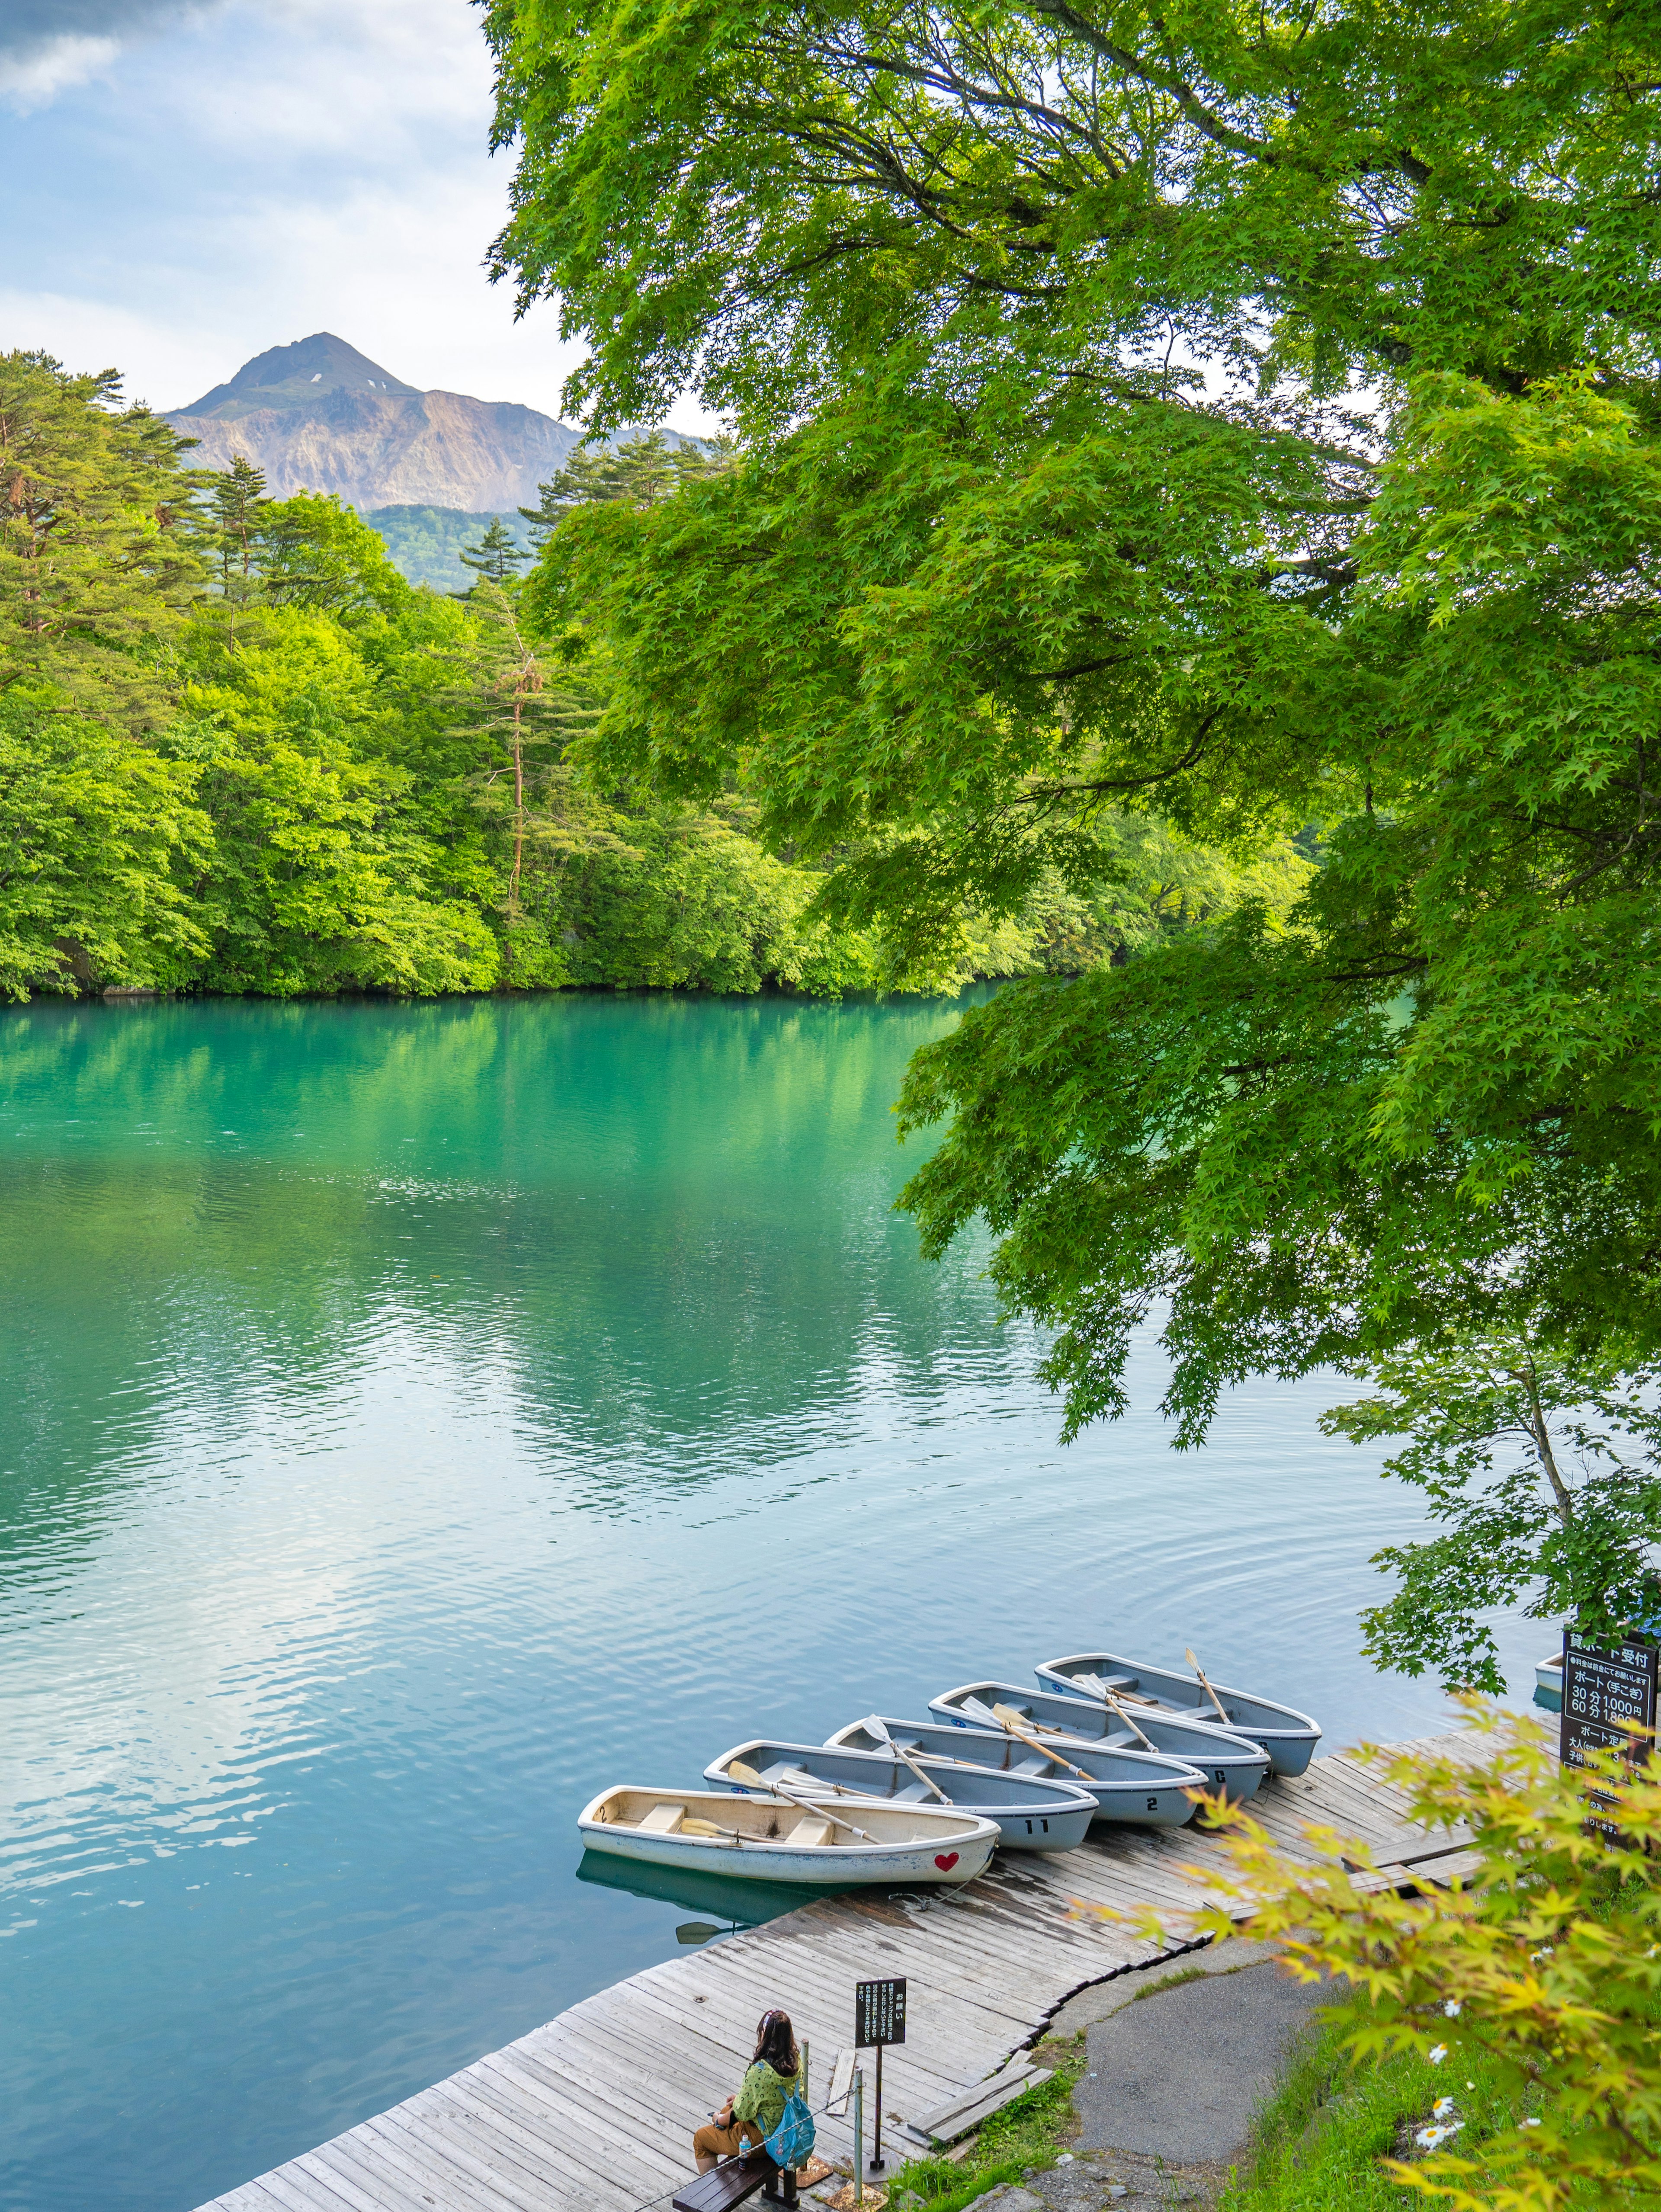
{"x": 189, "y": 182}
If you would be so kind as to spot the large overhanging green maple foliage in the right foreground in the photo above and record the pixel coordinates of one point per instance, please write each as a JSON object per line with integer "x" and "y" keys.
{"x": 1242, "y": 417}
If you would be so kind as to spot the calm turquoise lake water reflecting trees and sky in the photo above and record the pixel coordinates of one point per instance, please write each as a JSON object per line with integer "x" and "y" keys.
{"x": 415, "y": 1419}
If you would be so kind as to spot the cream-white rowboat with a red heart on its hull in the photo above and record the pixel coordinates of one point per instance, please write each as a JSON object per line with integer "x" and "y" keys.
{"x": 780, "y": 1839}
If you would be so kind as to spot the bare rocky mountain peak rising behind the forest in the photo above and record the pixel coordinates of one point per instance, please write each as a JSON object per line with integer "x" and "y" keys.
{"x": 322, "y": 417}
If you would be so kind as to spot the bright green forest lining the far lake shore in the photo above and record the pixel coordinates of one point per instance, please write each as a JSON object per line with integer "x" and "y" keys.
{"x": 240, "y": 753}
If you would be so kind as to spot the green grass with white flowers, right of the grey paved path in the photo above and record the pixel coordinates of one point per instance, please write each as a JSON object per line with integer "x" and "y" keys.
{"x": 1319, "y": 2140}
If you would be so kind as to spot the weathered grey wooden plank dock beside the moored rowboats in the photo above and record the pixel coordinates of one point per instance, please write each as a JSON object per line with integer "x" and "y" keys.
{"x": 596, "y": 2111}
